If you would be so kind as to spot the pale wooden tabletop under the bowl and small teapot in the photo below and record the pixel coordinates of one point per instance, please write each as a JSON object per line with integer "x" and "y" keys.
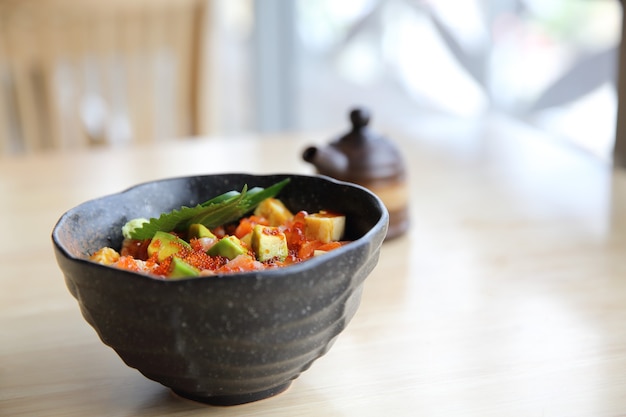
{"x": 506, "y": 298}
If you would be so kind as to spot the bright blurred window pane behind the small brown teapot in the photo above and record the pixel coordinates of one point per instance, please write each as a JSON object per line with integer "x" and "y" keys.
{"x": 548, "y": 63}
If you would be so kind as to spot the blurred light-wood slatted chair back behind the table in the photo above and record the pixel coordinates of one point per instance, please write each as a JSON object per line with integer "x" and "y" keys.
{"x": 76, "y": 73}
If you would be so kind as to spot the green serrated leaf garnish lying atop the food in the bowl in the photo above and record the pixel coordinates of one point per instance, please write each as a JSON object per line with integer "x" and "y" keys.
{"x": 217, "y": 211}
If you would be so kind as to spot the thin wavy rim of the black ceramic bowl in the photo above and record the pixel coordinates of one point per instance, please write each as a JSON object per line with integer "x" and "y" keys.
{"x": 381, "y": 223}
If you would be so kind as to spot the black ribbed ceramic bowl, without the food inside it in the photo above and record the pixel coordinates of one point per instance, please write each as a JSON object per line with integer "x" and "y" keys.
{"x": 227, "y": 339}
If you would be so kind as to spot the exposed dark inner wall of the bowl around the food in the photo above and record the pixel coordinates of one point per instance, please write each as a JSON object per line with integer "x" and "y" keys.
{"x": 98, "y": 223}
